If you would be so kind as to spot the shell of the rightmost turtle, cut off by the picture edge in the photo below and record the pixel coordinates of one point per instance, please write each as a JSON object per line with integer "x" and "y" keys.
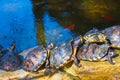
{"x": 113, "y": 34}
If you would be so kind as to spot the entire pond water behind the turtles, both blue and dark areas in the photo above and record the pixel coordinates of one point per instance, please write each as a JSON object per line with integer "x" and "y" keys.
{"x": 30, "y": 23}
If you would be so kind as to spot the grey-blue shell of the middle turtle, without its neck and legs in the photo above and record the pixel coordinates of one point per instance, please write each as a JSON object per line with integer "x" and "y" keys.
{"x": 61, "y": 54}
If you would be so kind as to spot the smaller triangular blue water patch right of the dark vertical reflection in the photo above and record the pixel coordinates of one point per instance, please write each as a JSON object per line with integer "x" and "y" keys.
{"x": 54, "y": 31}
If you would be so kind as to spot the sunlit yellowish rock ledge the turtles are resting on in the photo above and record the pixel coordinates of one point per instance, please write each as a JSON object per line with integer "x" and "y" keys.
{"x": 88, "y": 71}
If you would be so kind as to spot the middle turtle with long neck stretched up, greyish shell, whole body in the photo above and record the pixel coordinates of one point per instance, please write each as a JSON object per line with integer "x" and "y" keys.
{"x": 63, "y": 55}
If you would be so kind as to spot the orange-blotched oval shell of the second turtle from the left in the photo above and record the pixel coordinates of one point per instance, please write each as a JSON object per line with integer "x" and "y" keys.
{"x": 35, "y": 59}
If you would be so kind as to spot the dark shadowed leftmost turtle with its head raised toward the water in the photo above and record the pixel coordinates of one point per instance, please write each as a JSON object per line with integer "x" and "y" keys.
{"x": 10, "y": 61}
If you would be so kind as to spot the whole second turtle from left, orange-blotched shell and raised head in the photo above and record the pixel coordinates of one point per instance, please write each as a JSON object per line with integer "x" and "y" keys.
{"x": 37, "y": 58}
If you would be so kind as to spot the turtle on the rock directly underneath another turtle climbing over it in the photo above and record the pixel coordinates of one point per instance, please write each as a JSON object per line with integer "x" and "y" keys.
{"x": 95, "y": 52}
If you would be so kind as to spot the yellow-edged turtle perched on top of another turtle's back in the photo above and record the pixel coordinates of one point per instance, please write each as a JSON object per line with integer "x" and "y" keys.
{"x": 95, "y": 36}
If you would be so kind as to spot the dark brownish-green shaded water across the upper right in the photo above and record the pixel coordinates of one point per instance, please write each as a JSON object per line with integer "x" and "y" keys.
{"x": 85, "y": 14}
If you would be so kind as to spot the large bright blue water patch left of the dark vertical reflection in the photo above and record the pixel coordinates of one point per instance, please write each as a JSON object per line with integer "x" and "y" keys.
{"x": 17, "y": 24}
